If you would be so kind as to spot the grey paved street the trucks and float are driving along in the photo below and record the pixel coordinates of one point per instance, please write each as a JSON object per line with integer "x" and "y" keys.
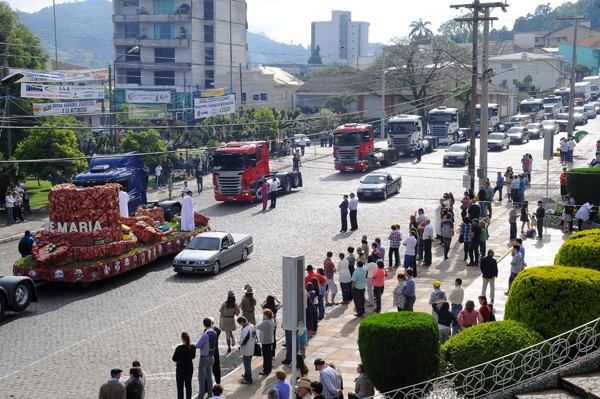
{"x": 65, "y": 345}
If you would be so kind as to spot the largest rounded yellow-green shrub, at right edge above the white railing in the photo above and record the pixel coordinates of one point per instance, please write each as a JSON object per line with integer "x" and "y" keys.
{"x": 554, "y": 299}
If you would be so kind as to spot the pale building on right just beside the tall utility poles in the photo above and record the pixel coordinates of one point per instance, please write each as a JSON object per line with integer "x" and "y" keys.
{"x": 547, "y": 71}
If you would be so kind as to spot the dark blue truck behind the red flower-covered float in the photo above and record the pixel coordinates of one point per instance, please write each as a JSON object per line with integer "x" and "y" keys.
{"x": 128, "y": 171}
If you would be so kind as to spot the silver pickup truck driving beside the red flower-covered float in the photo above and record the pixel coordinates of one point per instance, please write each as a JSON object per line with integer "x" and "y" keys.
{"x": 209, "y": 252}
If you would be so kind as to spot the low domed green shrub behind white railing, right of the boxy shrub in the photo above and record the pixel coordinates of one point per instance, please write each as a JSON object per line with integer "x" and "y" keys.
{"x": 488, "y": 341}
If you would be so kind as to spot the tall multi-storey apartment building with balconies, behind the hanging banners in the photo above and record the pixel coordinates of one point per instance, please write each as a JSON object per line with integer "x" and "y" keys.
{"x": 183, "y": 44}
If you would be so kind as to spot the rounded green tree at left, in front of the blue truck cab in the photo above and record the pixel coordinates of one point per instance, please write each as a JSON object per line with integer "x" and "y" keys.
{"x": 48, "y": 142}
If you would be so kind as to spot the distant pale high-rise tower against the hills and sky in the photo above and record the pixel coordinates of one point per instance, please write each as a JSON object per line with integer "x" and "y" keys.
{"x": 341, "y": 41}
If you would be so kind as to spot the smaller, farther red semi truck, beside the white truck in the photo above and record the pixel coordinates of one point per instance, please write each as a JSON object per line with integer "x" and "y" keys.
{"x": 354, "y": 148}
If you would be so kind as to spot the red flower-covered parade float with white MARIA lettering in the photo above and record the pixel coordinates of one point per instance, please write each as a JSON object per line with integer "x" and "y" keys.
{"x": 86, "y": 239}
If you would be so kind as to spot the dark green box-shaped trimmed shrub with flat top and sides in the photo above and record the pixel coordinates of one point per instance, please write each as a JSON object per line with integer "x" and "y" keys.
{"x": 399, "y": 348}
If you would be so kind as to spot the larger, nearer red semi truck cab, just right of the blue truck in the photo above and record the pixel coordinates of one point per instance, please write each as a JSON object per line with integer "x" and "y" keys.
{"x": 239, "y": 169}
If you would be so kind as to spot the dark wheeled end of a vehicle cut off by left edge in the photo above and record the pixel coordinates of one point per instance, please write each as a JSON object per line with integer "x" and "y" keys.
{"x": 16, "y": 293}
